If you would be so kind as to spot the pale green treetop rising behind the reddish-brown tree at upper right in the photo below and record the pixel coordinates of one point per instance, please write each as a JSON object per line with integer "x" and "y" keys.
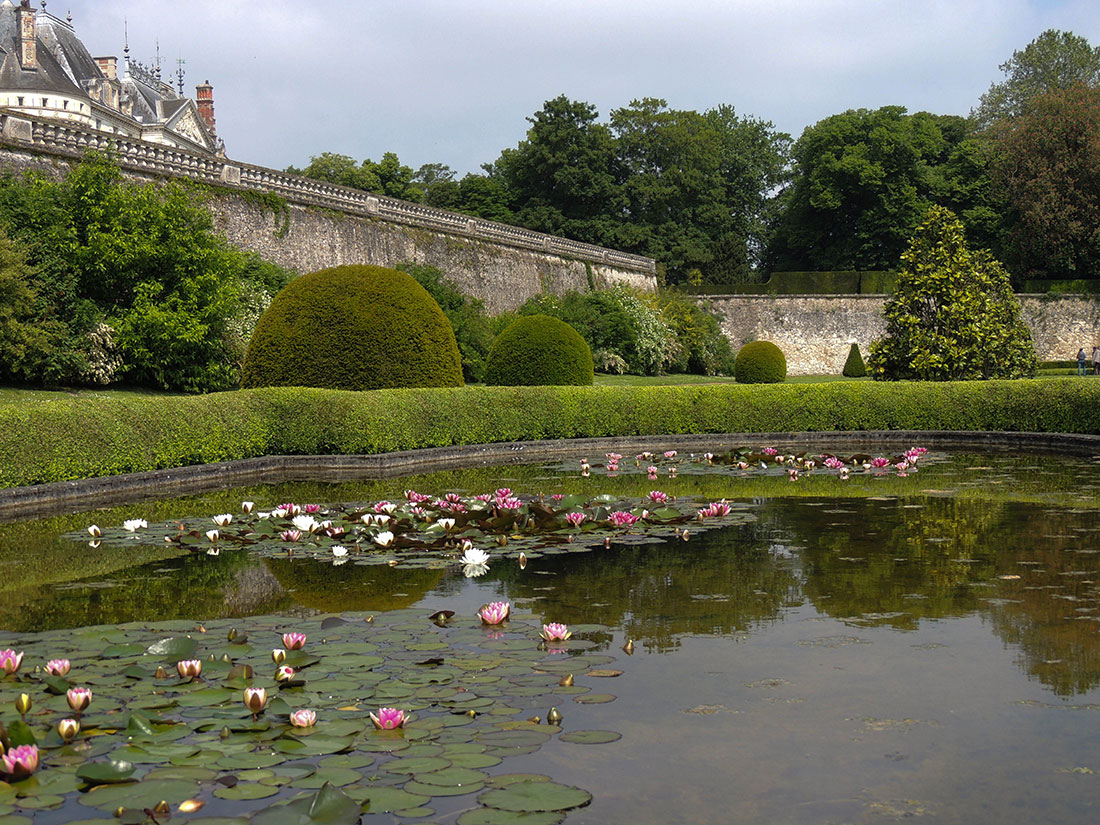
{"x": 1053, "y": 62}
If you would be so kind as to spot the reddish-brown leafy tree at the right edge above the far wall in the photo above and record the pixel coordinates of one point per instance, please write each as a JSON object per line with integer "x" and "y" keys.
{"x": 1047, "y": 169}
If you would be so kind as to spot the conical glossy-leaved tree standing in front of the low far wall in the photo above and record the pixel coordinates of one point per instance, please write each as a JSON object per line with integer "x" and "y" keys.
{"x": 953, "y": 315}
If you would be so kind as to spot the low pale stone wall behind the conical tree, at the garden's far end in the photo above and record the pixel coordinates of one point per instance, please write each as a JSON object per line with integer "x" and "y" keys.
{"x": 817, "y": 332}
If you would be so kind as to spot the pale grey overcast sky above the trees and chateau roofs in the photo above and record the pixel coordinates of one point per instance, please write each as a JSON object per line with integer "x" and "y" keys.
{"x": 453, "y": 81}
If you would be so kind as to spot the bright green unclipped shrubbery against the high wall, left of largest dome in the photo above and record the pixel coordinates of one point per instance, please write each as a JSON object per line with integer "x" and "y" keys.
{"x": 140, "y": 260}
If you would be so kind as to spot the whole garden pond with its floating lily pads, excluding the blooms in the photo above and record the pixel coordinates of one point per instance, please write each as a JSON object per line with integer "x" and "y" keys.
{"x": 886, "y": 647}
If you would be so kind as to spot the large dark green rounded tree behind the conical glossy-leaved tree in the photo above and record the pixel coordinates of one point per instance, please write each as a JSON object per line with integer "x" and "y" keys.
{"x": 863, "y": 182}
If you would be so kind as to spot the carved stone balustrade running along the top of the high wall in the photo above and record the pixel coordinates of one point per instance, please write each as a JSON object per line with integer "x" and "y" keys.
{"x": 50, "y": 137}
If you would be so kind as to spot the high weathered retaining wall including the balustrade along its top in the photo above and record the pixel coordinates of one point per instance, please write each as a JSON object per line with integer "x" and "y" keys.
{"x": 309, "y": 225}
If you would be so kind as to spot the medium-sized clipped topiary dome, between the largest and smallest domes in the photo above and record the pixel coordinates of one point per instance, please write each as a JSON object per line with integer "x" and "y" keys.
{"x": 540, "y": 350}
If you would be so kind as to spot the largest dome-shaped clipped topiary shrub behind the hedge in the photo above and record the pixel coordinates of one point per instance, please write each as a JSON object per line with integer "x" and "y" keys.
{"x": 354, "y": 328}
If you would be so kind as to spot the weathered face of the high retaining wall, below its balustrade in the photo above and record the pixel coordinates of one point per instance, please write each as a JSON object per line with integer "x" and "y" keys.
{"x": 306, "y": 239}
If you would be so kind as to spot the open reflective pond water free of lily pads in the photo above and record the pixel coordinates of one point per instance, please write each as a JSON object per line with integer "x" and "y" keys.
{"x": 928, "y": 648}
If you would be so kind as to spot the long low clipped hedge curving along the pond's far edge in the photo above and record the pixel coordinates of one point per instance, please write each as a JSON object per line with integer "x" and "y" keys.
{"x": 84, "y": 437}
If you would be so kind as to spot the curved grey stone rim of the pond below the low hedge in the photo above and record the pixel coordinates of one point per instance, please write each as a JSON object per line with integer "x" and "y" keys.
{"x": 73, "y": 497}
